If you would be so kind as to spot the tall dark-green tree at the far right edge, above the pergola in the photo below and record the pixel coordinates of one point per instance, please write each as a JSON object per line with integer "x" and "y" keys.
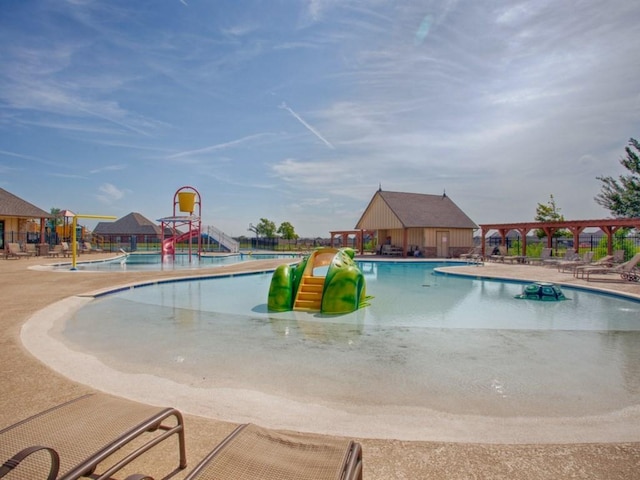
{"x": 622, "y": 197}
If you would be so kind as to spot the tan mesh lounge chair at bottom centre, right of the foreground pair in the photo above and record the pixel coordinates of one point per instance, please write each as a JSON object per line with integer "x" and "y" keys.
{"x": 251, "y": 452}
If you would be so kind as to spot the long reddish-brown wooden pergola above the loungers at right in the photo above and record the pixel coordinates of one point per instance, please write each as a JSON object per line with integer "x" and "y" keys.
{"x": 608, "y": 225}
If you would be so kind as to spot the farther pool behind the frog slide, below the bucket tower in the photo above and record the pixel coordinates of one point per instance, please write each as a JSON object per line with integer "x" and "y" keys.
{"x": 181, "y": 261}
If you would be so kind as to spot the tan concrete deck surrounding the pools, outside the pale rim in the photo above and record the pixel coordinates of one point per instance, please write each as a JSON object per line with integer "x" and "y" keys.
{"x": 31, "y": 386}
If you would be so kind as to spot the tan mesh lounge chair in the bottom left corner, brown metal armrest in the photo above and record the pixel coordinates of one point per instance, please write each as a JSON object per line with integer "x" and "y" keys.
{"x": 69, "y": 441}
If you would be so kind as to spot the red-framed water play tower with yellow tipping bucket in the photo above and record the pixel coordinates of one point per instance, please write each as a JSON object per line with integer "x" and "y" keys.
{"x": 185, "y": 200}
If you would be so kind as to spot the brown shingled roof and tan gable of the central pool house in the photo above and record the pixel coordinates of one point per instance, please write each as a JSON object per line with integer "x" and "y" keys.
{"x": 415, "y": 210}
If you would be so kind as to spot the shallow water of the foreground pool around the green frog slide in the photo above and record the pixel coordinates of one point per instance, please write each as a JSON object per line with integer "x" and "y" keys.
{"x": 427, "y": 341}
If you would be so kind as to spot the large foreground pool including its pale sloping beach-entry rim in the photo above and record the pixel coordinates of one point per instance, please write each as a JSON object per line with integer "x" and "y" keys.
{"x": 433, "y": 357}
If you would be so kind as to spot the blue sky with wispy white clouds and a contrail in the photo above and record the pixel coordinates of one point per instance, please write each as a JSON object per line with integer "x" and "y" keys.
{"x": 298, "y": 110}
